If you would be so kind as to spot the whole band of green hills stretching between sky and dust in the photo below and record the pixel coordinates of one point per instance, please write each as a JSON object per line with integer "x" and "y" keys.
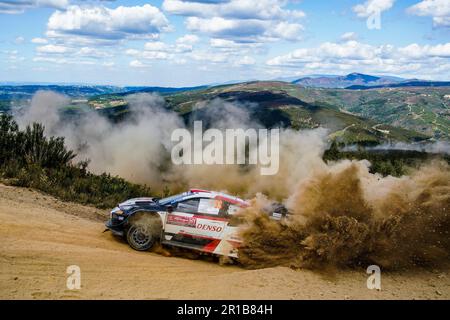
{"x": 363, "y": 116}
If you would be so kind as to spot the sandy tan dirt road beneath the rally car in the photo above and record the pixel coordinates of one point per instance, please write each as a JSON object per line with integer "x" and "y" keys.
{"x": 41, "y": 237}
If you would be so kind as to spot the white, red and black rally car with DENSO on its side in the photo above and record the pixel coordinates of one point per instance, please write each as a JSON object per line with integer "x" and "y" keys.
{"x": 198, "y": 219}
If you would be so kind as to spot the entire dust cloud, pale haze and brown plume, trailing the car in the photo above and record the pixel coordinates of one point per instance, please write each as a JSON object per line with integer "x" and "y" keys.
{"x": 341, "y": 214}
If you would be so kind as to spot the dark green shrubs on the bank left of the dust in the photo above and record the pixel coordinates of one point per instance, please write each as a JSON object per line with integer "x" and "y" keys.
{"x": 29, "y": 159}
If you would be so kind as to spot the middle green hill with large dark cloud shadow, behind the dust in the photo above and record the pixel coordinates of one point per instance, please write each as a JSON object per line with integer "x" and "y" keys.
{"x": 274, "y": 104}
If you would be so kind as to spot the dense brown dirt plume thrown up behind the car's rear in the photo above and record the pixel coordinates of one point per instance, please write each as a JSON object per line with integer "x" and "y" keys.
{"x": 345, "y": 216}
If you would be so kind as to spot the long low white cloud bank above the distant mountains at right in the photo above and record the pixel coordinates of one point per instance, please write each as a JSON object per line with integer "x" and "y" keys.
{"x": 356, "y": 56}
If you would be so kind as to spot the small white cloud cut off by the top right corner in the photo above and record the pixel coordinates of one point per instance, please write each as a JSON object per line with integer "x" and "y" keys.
{"x": 439, "y": 10}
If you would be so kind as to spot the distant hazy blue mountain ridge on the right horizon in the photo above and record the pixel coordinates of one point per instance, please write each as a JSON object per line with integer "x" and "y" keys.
{"x": 352, "y": 79}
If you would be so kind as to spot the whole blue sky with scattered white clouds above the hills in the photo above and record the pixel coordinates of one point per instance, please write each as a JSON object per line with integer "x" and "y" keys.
{"x": 186, "y": 43}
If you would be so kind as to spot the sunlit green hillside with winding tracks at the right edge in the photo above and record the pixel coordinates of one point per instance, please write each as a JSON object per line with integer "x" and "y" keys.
{"x": 422, "y": 109}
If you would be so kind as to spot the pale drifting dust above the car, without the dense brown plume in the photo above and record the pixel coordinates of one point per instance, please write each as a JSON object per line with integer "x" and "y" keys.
{"x": 138, "y": 149}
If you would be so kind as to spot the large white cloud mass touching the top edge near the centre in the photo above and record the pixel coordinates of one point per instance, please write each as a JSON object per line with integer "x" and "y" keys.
{"x": 240, "y": 20}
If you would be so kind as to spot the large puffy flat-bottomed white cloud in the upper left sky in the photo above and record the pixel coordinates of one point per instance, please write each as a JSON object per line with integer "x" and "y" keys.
{"x": 99, "y": 22}
